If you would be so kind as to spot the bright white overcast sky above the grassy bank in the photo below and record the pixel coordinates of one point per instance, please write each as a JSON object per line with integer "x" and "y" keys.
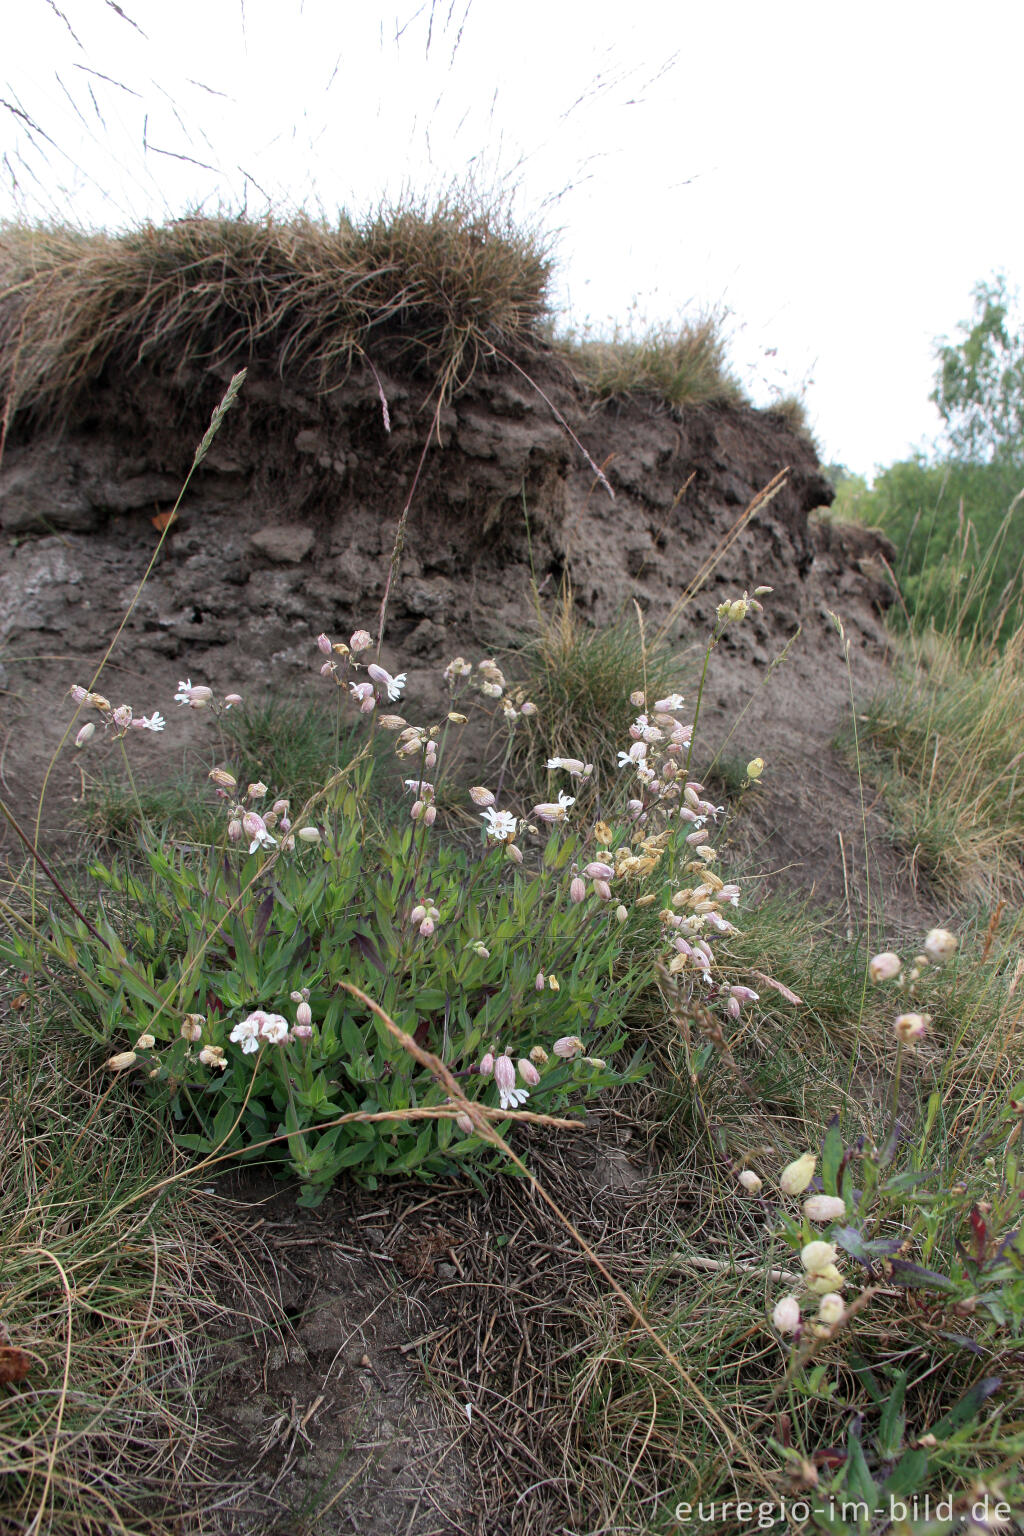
{"x": 837, "y": 177}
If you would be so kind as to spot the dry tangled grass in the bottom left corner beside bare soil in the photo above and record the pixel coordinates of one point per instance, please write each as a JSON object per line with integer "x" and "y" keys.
{"x": 110, "y": 1297}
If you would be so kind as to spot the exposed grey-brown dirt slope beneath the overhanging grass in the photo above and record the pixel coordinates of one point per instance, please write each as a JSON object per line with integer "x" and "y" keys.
{"x": 291, "y": 523}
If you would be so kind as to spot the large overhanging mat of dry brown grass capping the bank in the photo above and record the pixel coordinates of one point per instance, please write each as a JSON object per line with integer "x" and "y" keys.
{"x": 437, "y": 286}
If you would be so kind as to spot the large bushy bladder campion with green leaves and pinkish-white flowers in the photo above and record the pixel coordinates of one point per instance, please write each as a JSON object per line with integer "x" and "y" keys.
{"x": 240, "y": 973}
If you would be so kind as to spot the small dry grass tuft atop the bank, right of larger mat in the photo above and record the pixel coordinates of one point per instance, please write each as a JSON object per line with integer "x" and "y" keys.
{"x": 678, "y": 365}
